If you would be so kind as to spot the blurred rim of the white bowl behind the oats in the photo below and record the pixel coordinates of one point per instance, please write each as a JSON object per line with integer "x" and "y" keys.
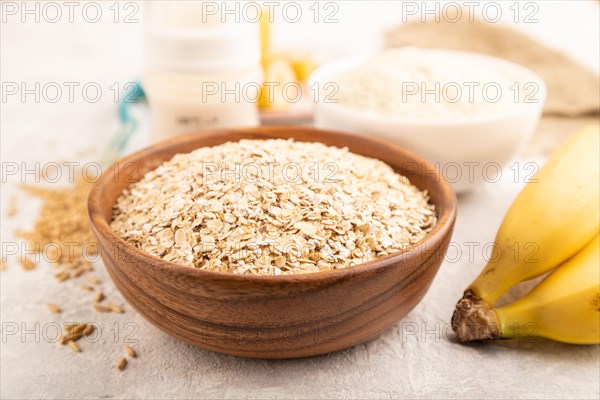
{"x": 343, "y": 64}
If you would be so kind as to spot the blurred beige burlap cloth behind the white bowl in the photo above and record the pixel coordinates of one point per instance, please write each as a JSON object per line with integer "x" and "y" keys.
{"x": 573, "y": 90}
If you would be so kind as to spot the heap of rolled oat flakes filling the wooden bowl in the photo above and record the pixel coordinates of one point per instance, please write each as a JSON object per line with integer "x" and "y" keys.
{"x": 272, "y": 207}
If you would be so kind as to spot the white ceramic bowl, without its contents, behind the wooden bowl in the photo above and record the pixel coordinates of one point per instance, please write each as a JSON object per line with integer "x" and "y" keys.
{"x": 467, "y": 150}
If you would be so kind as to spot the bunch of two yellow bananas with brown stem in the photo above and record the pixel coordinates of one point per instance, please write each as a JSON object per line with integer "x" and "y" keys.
{"x": 556, "y": 220}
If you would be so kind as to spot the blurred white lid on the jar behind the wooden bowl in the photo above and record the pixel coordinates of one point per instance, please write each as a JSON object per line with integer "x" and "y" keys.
{"x": 188, "y": 45}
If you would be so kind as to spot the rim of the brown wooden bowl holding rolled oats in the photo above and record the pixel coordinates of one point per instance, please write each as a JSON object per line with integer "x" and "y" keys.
{"x": 101, "y": 227}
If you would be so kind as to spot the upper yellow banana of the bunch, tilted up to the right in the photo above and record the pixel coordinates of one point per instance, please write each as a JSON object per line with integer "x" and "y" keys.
{"x": 552, "y": 218}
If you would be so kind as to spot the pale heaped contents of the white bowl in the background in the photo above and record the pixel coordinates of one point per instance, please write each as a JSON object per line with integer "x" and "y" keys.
{"x": 414, "y": 83}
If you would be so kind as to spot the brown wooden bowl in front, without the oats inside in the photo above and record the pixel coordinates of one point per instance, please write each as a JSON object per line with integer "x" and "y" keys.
{"x": 272, "y": 316}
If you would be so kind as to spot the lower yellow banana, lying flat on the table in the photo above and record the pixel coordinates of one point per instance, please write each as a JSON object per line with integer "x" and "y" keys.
{"x": 564, "y": 307}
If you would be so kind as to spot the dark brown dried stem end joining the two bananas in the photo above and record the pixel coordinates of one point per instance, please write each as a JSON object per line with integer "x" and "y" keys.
{"x": 473, "y": 319}
